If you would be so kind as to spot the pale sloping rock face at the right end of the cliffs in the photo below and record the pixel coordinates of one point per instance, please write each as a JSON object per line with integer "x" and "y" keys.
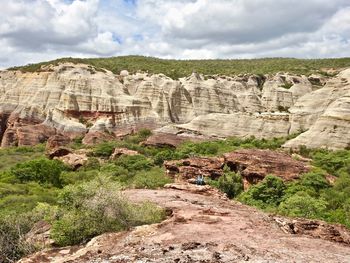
{"x": 325, "y": 114}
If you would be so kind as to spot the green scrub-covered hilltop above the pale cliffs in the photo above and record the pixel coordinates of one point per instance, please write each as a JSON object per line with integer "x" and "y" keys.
{"x": 181, "y": 68}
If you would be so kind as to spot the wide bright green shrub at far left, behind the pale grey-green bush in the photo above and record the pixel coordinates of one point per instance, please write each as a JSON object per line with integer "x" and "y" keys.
{"x": 43, "y": 171}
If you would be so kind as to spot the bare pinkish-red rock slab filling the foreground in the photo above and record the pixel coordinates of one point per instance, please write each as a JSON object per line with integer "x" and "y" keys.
{"x": 204, "y": 226}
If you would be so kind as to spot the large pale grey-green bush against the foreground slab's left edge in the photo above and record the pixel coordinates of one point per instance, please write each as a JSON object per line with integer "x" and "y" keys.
{"x": 96, "y": 207}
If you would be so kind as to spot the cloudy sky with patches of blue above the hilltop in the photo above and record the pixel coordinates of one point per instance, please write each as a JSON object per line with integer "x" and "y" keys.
{"x": 37, "y": 30}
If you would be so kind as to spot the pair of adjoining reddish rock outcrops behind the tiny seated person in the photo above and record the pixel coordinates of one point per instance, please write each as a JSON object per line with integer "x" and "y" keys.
{"x": 254, "y": 165}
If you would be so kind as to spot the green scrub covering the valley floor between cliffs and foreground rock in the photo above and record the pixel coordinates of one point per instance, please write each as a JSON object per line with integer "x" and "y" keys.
{"x": 86, "y": 202}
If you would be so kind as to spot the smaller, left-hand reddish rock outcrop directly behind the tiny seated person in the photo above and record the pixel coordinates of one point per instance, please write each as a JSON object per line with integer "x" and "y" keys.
{"x": 192, "y": 167}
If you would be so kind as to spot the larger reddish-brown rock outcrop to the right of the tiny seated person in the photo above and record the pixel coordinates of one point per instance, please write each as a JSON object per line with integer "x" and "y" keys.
{"x": 255, "y": 164}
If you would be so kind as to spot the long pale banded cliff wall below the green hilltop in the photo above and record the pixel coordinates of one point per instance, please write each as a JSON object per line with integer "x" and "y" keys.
{"x": 77, "y": 99}
